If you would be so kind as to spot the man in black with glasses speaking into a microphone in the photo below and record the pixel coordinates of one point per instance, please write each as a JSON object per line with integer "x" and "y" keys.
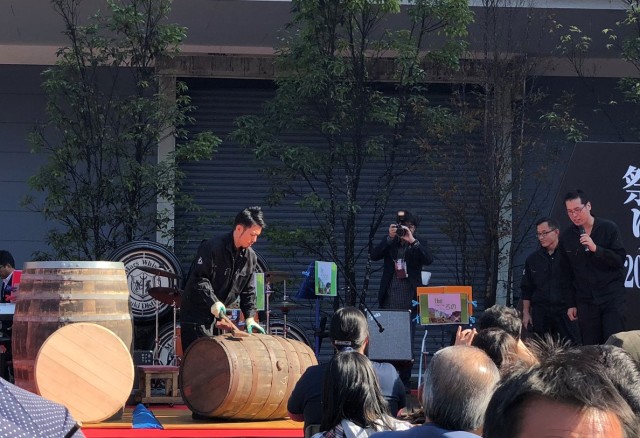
{"x": 593, "y": 261}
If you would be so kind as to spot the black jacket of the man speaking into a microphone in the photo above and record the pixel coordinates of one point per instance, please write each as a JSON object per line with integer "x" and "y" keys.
{"x": 596, "y": 277}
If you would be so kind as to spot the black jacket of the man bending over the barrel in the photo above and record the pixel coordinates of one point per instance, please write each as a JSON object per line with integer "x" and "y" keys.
{"x": 220, "y": 273}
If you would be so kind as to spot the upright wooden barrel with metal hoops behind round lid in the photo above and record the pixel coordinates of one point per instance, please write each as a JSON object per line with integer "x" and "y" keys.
{"x": 54, "y": 294}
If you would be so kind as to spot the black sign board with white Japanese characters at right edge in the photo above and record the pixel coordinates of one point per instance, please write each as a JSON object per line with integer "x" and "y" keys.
{"x": 609, "y": 174}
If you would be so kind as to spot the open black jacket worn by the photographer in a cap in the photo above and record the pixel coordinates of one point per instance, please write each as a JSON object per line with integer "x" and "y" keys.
{"x": 415, "y": 255}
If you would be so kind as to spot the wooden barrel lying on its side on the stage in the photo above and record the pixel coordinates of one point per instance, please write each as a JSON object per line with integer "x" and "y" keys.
{"x": 243, "y": 378}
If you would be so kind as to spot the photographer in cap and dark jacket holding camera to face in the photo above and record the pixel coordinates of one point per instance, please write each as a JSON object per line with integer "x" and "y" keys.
{"x": 404, "y": 256}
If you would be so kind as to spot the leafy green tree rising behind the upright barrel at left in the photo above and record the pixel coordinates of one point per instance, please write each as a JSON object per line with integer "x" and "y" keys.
{"x": 107, "y": 112}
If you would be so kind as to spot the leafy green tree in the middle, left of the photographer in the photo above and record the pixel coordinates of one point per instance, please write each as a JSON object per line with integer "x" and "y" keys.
{"x": 335, "y": 67}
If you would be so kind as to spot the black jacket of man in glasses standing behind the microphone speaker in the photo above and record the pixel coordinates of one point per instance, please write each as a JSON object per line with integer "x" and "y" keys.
{"x": 541, "y": 283}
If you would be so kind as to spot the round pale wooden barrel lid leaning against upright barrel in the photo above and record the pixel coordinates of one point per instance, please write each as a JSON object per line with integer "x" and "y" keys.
{"x": 87, "y": 368}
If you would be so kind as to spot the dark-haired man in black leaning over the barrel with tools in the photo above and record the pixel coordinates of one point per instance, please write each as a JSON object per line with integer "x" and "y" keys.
{"x": 223, "y": 270}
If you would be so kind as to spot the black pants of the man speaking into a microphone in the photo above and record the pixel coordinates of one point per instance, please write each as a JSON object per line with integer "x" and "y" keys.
{"x": 599, "y": 321}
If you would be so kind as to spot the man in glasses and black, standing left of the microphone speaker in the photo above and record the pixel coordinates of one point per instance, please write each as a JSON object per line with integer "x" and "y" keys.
{"x": 544, "y": 309}
